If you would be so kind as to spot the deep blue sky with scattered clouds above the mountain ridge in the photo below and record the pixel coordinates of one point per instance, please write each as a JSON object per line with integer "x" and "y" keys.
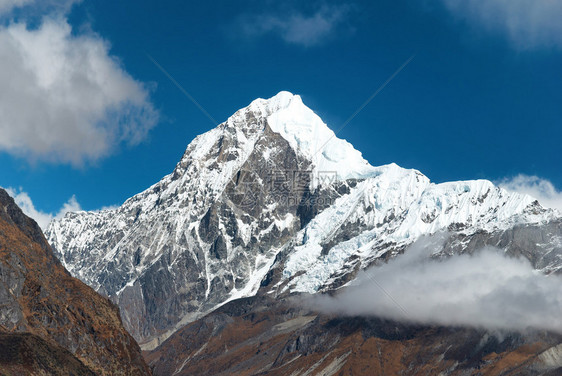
{"x": 87, "y": 114}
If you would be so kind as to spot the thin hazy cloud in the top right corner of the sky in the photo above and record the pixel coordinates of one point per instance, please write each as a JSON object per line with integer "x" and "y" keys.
{"x": 528, "y": 24}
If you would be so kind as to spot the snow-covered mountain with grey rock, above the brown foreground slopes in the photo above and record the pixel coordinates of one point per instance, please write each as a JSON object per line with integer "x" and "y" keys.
{"x": 271, "y": 201}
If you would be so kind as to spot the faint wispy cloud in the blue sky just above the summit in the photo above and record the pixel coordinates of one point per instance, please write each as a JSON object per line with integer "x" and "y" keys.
{"x": 299, "y": 28}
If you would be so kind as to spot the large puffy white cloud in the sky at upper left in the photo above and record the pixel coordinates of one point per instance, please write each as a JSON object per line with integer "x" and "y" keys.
{"x": 64, "y": 98}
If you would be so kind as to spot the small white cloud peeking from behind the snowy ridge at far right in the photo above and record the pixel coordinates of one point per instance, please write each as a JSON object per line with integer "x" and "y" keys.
{"x": 541, "y": 189}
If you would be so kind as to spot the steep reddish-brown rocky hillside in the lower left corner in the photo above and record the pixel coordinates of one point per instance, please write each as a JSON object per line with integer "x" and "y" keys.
{"x": 38, "y": 296}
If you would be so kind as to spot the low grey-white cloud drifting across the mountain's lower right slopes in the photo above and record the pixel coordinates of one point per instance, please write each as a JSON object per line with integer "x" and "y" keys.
{"x": 484, "y": 290}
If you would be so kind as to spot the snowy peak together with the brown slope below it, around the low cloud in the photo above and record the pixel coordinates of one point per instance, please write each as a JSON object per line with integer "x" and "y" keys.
{"x": 270, "y": 206}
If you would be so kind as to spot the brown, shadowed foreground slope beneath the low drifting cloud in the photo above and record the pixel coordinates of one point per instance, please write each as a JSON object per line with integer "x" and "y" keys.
{"x": 262, "y": 336}
